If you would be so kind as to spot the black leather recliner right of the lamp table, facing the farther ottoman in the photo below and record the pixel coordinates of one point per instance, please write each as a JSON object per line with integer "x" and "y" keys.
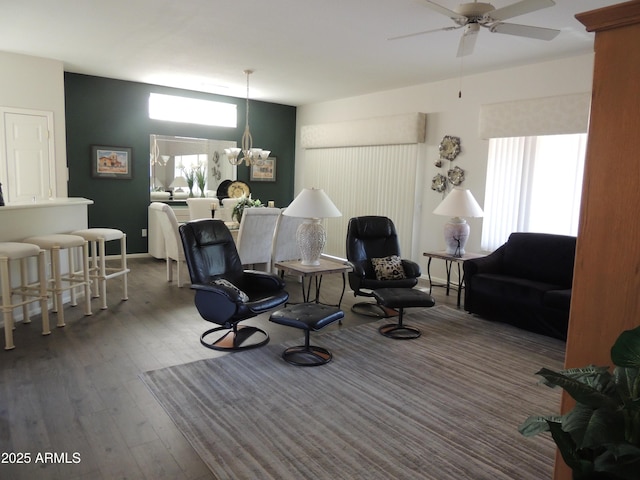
{"x": 370, "y": 237}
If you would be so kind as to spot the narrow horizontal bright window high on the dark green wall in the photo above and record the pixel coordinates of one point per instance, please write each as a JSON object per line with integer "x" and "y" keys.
{"x": 192, "y": 110}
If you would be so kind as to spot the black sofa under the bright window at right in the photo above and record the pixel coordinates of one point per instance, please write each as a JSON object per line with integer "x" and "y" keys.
{"x": 526, "y": 282}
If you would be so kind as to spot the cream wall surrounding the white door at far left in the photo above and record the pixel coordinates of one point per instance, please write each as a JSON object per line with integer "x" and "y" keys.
{"x": 37, "y": 84}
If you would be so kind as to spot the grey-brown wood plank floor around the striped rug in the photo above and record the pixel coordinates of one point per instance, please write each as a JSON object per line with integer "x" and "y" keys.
{"x": 77, "y": 390}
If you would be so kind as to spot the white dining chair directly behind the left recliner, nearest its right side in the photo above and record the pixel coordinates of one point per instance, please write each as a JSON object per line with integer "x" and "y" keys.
{"x": 255, "y": 236}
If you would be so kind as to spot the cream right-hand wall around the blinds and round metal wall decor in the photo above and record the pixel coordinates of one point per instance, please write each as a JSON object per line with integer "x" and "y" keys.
{"x": 449, "y": 115}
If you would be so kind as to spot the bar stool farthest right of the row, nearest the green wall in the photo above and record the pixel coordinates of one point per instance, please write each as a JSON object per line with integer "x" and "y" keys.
{"x": 97, "y": 237}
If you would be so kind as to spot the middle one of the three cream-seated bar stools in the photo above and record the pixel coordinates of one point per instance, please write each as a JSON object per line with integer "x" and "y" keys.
{"x": 54, "y": 244}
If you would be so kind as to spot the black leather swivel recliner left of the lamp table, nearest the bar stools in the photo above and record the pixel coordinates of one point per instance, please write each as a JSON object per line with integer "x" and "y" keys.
{"x": 225, "y": 293}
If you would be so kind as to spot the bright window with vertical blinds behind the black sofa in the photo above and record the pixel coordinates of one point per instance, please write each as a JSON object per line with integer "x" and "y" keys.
{"x": 533, "y": 184}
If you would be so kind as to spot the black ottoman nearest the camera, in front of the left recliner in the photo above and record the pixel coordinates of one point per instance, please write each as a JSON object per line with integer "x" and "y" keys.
{"x": 307, "y": 317}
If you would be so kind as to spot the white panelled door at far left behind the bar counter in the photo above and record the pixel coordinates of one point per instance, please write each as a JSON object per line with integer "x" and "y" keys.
{"x": 27, "y": 149}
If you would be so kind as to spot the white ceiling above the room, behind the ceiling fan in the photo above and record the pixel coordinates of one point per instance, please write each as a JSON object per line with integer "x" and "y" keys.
{"x": 302, "y": 51}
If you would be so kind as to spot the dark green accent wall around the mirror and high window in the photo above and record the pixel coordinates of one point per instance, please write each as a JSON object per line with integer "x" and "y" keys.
{"x": 103, "y": 111}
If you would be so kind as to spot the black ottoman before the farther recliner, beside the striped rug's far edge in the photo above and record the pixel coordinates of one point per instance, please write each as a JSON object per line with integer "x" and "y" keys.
{"x": 401, "y": 298}
